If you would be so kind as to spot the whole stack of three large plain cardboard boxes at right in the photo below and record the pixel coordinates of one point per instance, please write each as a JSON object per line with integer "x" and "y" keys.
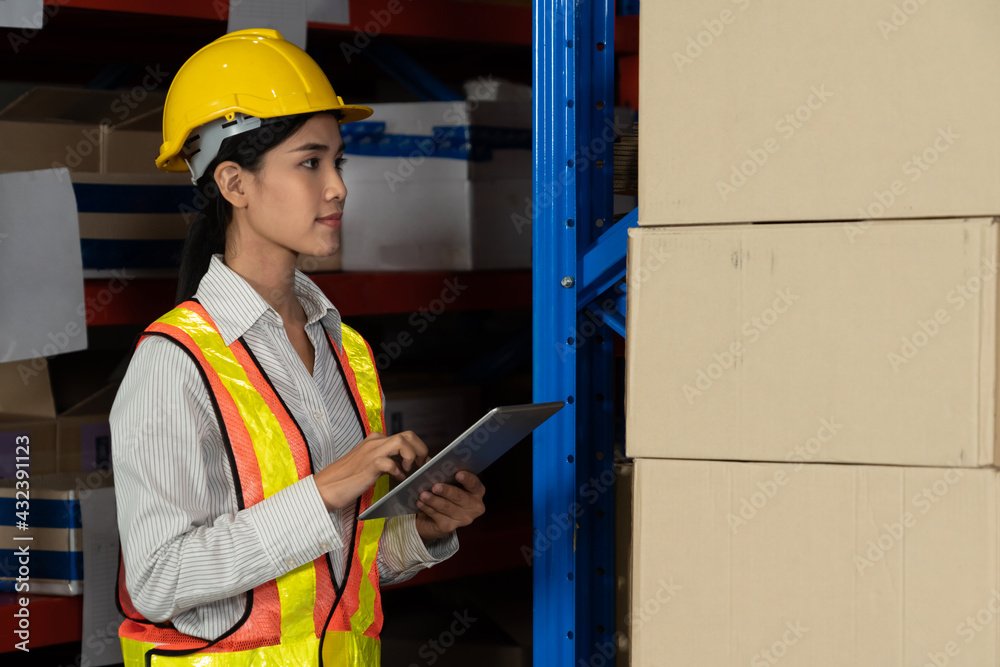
{"x": 812, "y": 385}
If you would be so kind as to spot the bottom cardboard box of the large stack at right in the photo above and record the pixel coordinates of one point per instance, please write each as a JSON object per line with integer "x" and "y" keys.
{"x": 814, "y": 565}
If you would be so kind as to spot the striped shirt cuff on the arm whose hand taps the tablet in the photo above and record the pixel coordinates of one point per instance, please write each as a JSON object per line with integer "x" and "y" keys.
{"x": 295, "y": 526}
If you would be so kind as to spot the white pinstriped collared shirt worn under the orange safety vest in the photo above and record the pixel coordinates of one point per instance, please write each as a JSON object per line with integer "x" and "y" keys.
{"x": 190, "y": 555}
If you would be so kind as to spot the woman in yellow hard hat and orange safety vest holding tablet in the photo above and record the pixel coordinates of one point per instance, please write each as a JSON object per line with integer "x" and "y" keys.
{"x": 247, "y": 433}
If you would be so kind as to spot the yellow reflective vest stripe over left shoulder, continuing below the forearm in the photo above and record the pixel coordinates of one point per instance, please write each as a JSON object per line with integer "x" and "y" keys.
{"x": 297, "y": 588}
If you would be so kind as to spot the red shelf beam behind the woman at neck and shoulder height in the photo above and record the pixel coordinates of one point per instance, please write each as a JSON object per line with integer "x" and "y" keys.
{"x": 142, "y": 300}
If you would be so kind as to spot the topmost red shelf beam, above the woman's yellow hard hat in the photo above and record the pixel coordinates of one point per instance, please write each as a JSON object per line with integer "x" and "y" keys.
{"x": 435, "y": 19}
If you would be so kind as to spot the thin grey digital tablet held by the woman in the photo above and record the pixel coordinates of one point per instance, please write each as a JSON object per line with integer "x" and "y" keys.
{"x": 480, "y": 445}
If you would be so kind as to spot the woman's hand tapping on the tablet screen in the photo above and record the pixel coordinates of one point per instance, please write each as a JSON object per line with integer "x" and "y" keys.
{"x": 343, "y": 481}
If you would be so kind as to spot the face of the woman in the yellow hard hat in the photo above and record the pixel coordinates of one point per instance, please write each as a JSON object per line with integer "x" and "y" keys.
{"x": 299, "y": 184}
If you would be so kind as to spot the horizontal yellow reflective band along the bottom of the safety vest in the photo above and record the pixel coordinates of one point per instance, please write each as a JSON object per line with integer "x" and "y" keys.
{"x": 340, "y": 649}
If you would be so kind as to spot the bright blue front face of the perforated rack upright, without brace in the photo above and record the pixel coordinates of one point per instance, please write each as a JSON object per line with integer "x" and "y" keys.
{"x": 554, "y": 262}
